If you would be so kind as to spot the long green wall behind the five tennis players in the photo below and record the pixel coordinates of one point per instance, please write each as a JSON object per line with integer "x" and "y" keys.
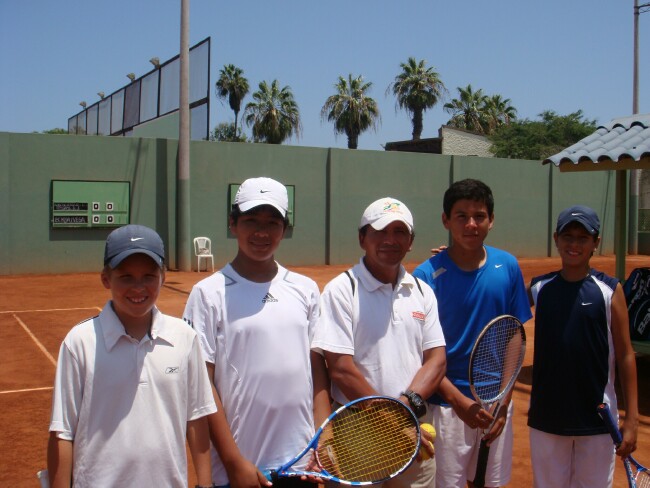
{"x": 332, "y": 188}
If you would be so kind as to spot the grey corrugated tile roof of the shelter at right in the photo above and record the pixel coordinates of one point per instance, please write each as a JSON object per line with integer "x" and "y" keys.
{"x": 622, "y": 138}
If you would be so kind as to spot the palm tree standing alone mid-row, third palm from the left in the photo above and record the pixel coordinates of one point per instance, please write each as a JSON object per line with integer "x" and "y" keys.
{"x": 351, "y": 110}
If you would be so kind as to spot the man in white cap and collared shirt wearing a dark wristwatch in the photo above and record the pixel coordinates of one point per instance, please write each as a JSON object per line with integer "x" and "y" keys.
{"x": 379, "y": 328}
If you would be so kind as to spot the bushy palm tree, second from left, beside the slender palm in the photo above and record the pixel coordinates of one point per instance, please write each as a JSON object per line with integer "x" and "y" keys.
{"x": 274, "y": 115}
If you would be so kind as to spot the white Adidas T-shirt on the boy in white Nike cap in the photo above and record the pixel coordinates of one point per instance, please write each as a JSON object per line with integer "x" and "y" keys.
{"x": 258, "y": 336}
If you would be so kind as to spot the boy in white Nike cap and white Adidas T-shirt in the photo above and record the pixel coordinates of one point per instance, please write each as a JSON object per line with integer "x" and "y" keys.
{"x": 256, "y": 320}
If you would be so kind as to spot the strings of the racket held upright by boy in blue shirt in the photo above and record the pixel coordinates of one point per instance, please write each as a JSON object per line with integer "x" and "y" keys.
{"x": 497, "y": 359}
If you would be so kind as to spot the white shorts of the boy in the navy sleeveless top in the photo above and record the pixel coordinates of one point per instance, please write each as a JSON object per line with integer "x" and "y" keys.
{"x": 572, "y": 461}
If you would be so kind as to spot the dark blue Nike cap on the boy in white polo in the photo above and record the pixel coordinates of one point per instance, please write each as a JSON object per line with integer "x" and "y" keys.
{"x": 133, "y": 239}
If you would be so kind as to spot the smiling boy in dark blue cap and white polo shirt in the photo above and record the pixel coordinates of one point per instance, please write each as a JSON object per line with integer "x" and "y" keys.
{"x": 130, "y": 383}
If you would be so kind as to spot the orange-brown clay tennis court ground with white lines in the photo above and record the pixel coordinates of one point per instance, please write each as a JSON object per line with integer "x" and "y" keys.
{"x": 36, "y": 311}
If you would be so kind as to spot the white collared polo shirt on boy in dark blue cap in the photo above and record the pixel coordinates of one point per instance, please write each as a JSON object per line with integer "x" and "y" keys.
{"x": 125, "y": 403}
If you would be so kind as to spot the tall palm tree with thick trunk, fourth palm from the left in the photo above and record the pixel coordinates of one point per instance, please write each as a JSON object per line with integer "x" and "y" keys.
{"x": 417, "y": 89}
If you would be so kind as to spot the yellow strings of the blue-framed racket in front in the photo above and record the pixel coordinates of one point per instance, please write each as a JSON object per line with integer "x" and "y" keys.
{"x": 369, "y": 444}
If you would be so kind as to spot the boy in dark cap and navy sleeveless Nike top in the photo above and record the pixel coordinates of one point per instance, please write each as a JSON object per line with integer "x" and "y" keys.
{"x": 581, "y": 335}
